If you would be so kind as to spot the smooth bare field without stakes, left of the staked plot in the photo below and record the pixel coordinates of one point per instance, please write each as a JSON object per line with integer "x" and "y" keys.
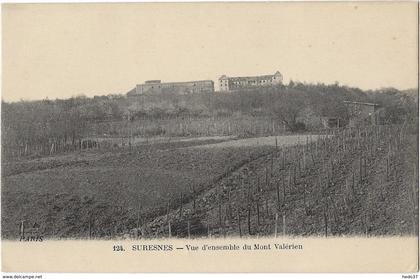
{"x": 103, "y": 193}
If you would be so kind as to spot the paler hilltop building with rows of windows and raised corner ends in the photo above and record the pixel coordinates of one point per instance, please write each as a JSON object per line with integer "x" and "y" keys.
{"x": 234, "y": 83}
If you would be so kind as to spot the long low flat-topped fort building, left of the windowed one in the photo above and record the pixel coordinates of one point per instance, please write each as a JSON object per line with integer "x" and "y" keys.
{"x": 189, "y": 87}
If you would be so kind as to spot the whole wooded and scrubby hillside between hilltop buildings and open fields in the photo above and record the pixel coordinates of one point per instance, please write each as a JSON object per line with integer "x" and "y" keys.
{"x": 47, "y": 127}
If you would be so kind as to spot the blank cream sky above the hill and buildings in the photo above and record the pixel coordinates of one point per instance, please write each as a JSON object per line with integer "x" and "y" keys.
{"x": 63, "y": 50}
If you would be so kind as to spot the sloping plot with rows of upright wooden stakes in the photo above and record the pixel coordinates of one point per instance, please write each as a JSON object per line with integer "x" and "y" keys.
{"x": 355, "y": 182}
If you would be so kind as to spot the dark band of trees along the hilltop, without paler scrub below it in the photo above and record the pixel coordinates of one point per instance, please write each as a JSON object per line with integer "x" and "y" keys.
{"x": 48, "y": 125}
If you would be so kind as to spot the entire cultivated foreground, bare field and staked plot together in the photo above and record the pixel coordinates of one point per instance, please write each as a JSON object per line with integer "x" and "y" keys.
{"x": 353, "y": 181}
